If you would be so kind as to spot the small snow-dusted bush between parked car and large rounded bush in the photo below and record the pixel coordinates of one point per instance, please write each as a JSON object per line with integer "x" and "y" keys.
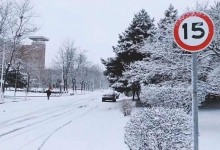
{"x": 126, "y": 107}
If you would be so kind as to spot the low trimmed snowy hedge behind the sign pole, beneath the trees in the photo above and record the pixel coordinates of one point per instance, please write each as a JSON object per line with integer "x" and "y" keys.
{"x": 171, "y": 97}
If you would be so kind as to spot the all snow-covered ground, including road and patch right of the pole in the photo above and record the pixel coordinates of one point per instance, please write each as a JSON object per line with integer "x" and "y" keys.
{"x": 78, "y": 122}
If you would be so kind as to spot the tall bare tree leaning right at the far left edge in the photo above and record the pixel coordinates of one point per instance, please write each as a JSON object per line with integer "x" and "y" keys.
{"x": 17, "y": 23}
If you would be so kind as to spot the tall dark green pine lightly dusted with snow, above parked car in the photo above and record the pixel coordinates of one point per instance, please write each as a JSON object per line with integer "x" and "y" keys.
{"x": 127, "y": 50}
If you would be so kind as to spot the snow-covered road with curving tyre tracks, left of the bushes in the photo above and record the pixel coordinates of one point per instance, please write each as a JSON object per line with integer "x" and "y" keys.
{"x": 41, "y": 124}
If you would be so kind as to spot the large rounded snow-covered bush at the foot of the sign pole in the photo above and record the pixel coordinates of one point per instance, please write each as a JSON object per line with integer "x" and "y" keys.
{"x": 159, "y": 128}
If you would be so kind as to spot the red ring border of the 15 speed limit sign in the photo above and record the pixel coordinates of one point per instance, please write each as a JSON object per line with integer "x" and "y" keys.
{"x": 202, "y": 45}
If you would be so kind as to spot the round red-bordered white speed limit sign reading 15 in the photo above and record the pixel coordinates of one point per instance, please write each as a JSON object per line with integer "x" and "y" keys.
{"x": 194, "y": 31}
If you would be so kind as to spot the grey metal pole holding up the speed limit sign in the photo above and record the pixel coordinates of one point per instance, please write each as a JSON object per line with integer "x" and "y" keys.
{"x": 195, "y": 102}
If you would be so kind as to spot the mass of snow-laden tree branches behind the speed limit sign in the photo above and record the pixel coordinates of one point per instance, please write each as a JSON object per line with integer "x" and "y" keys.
{"x": 166, "y": 63}
